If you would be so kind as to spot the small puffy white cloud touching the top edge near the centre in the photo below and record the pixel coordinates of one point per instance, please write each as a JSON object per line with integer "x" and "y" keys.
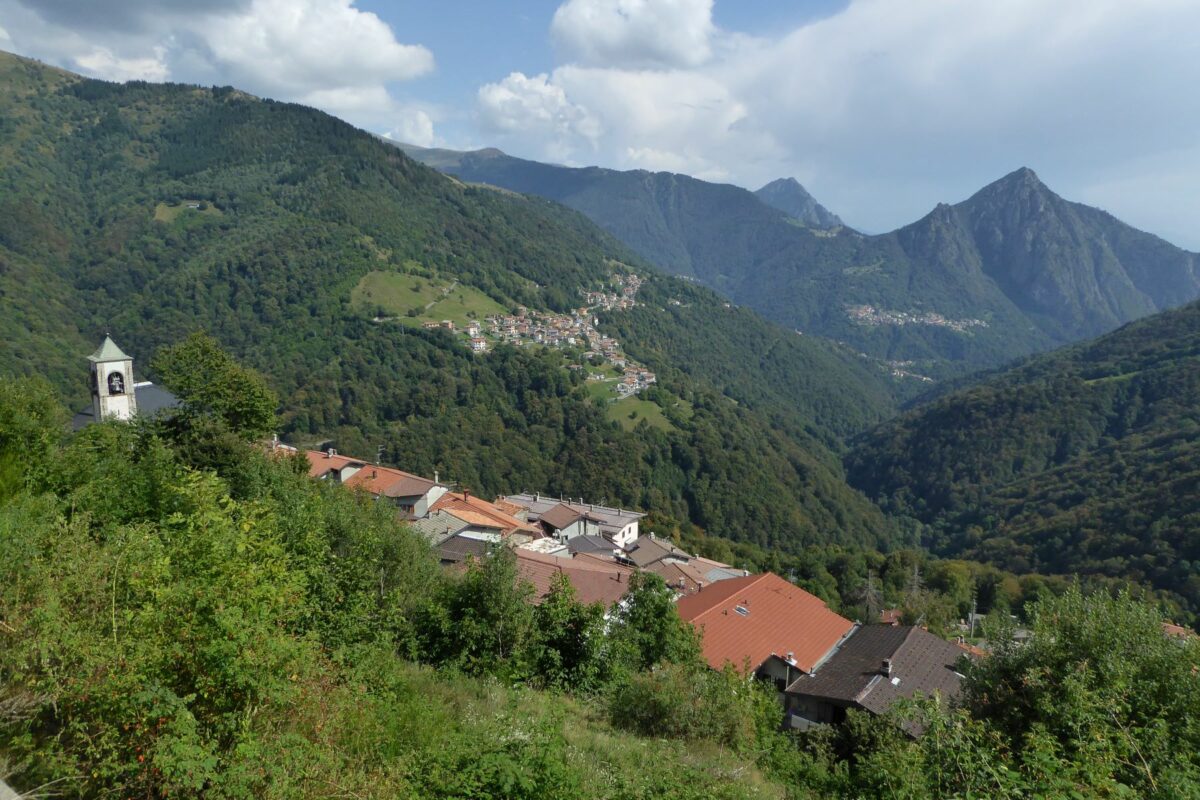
{"x": 635, "y": 33}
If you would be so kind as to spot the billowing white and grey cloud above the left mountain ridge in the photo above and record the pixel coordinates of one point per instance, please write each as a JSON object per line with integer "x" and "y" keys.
{"x": 325, "y": 53}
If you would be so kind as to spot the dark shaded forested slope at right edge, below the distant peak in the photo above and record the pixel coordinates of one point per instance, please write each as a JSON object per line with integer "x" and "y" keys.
{"x": 1087, "y": 460}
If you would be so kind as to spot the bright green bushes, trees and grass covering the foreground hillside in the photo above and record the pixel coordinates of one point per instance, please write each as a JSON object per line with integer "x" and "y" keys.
{"x": 185, "y": 616}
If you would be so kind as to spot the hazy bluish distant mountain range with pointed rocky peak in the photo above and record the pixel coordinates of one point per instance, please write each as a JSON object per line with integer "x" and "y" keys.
{"x": 1013, "y": 270}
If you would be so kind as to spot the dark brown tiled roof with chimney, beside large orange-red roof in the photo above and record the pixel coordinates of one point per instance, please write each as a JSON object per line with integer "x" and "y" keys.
{"x": 854, "y": 675}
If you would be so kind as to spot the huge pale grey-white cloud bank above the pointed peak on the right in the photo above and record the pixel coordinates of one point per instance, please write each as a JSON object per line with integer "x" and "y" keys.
{"x": 889, "y": 107}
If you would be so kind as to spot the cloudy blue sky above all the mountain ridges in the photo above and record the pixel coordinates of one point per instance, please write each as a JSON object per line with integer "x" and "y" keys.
{"x": 881, "y": 109}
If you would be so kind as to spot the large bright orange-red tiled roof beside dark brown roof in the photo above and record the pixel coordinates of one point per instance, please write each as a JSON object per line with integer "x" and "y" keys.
{"x": 779, "y": 618}
